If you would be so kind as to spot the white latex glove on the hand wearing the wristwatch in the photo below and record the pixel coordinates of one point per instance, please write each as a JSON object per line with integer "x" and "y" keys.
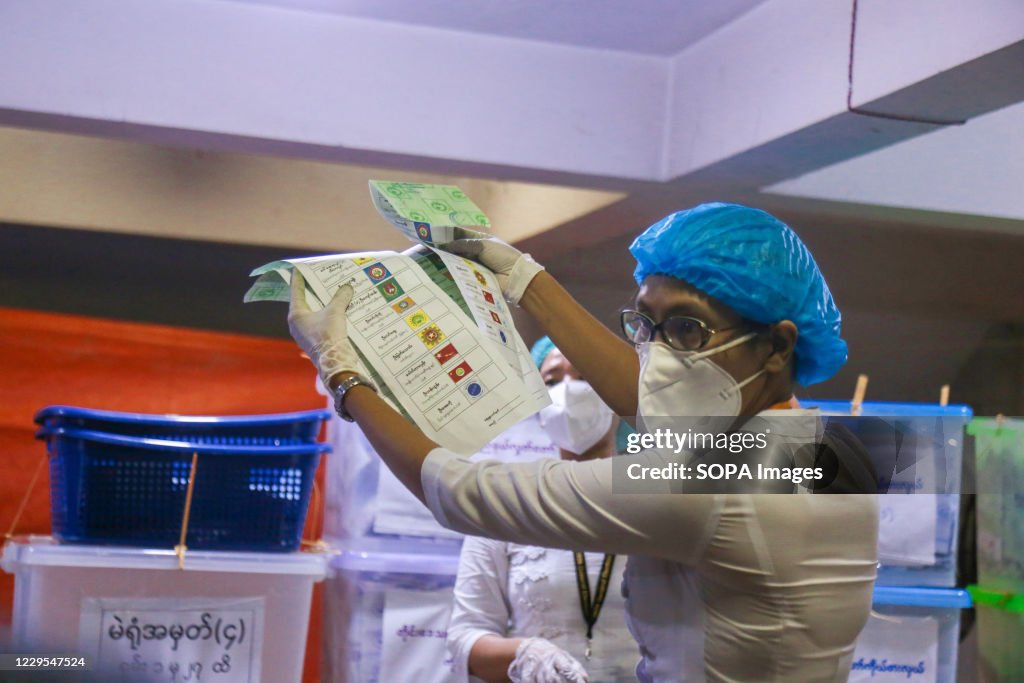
{"x": 323, "y": 334}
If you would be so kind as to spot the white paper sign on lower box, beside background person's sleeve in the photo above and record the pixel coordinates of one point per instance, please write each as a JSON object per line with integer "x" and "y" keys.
{"x": 415, "y": 635}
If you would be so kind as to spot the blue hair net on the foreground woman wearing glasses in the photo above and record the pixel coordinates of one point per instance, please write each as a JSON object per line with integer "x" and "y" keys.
{"x": 756, "y": 265}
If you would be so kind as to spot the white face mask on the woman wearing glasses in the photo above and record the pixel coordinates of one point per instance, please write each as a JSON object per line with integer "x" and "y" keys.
{"x": 688, "y": 383}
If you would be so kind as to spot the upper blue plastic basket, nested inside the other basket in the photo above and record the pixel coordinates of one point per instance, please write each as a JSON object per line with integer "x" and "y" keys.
{"x": 274, "y": 430}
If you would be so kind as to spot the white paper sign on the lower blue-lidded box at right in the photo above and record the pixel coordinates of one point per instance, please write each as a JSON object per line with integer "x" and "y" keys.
{"x": 897, "y": 649}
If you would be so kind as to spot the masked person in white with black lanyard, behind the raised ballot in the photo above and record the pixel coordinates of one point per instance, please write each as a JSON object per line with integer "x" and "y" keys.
{"x": 520, "y": 611}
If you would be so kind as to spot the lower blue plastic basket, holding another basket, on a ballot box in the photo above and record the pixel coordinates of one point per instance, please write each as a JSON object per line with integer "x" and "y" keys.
{"x": 118, "y": 490}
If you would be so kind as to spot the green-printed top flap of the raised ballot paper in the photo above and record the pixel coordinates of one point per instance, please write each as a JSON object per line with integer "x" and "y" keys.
{"x": 426, "y": 214}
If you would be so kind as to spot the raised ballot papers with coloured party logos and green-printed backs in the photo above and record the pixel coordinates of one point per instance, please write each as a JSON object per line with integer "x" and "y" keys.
{"x": 432, "y": 329}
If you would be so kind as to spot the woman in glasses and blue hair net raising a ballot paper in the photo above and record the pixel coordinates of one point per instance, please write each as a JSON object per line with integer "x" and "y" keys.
{"x": 733, "y": 314}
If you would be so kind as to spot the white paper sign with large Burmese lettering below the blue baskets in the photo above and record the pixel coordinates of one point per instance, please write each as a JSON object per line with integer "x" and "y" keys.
{"x": 175, "y": 639}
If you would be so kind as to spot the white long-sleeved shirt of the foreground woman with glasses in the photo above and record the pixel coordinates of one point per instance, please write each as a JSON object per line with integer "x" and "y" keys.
{"x": 784, "y": 581}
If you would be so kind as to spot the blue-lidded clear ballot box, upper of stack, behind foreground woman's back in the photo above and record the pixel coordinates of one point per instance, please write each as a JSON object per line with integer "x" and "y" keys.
{"x": 918, "y": 452}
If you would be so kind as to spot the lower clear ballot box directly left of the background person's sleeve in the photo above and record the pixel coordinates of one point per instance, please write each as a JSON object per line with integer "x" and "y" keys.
{"x": 387, "y": 618}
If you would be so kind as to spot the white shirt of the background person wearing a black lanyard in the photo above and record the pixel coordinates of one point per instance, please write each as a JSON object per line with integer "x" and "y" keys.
{"x": 509, "y": 590}
